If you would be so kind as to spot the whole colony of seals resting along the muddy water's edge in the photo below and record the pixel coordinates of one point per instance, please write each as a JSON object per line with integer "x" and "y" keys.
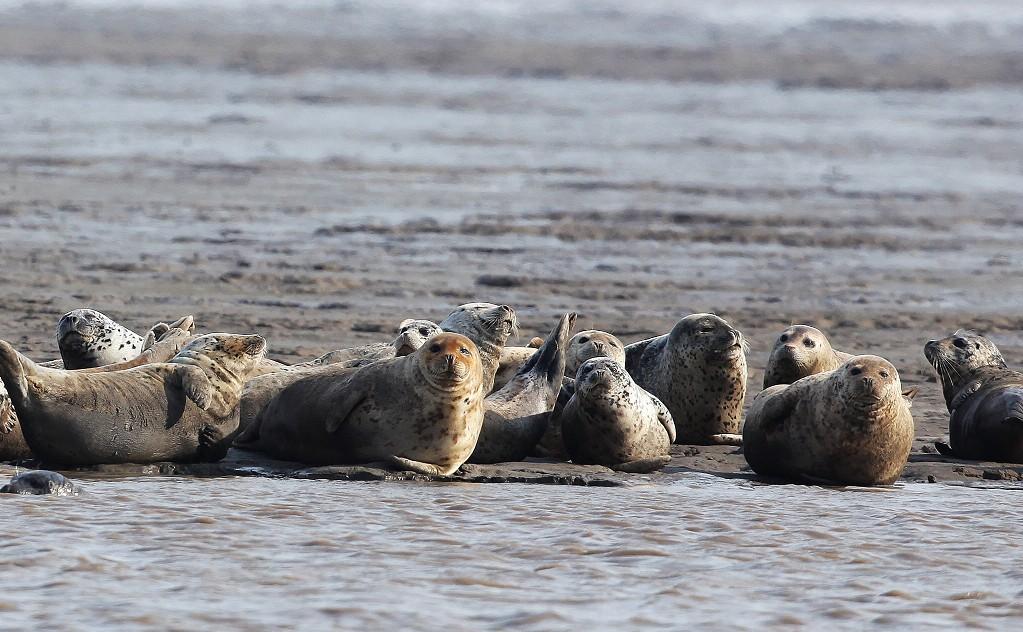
{"x": 441, "y": 395}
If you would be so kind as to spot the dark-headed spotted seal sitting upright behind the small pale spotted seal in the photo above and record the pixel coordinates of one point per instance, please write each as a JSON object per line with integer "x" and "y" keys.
{"x": 699, "y": 372}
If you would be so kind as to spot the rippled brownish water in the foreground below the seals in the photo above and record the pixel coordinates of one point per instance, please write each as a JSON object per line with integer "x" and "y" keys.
{"x": 260, "y": 554}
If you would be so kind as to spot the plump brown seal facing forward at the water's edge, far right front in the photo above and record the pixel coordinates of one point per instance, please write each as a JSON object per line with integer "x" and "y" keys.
{"x": 849, "y": 427}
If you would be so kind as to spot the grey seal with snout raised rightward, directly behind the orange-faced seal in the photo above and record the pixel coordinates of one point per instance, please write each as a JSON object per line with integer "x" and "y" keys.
{"x": 490, "y": 327}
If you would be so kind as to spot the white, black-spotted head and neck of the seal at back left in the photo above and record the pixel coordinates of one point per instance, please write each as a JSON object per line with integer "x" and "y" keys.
{"x": 88, "y": 339}
